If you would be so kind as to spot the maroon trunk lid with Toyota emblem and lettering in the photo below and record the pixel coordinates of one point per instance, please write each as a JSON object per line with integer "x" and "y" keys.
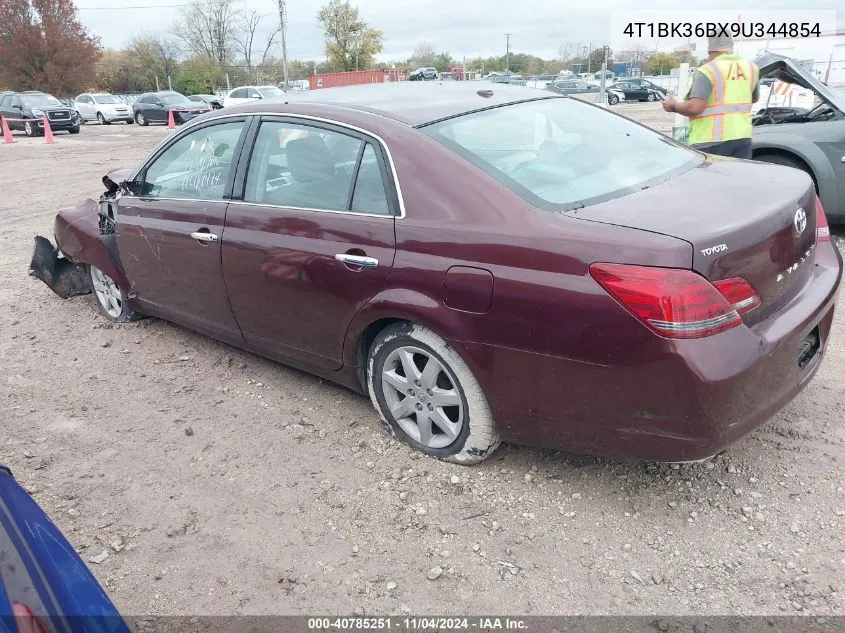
{"x": 743, "y": 219}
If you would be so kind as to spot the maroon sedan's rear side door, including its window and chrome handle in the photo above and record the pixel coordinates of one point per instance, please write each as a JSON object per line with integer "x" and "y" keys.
{"x": 311, "y": 241}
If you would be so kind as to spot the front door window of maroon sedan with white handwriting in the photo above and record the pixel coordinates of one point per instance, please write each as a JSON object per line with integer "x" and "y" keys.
{"x": 196, "y": 166}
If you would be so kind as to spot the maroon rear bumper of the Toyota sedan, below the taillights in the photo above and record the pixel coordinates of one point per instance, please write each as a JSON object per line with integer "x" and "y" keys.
{"x": 689, "y": 403}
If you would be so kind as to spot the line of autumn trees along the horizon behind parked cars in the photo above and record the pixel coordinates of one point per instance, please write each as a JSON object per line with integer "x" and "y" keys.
{"x": 44, "y": 46}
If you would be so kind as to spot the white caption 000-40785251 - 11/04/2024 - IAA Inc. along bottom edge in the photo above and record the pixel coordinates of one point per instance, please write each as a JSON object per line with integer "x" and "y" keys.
{"x": 417, "y": 624}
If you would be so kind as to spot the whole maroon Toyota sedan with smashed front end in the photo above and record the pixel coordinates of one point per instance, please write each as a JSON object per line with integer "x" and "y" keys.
{"x": 485, "y": 264}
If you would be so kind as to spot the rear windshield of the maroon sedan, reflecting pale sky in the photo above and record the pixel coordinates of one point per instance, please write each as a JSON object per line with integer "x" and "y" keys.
{"x": 561, "y": 154}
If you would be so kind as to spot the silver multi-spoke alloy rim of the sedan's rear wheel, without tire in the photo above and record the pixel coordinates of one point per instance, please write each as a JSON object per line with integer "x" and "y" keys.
{"x": 423, "y": 397}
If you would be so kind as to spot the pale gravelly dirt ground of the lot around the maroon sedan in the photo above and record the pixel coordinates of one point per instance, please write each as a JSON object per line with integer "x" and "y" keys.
{"x": 222, "y": 483}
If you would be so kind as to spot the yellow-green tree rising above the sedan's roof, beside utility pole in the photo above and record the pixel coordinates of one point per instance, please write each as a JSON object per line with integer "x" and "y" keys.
{"x": 351, "y": 43}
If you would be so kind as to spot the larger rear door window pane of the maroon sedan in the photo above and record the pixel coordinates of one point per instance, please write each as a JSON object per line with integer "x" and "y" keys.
{"x": 300, "y": 166}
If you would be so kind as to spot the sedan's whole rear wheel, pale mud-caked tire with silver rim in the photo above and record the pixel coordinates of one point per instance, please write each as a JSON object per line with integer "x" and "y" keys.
{"x": 465, "y": 432}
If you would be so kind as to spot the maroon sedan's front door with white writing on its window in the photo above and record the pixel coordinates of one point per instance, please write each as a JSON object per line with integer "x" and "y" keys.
{"x": 168, "y": 231}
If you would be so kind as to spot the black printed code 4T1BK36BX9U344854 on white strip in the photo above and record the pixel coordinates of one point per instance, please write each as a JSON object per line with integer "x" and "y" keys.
{"x": 722, "y": 29}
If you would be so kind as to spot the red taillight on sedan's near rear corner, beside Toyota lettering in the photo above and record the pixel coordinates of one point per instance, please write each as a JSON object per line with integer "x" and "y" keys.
{"x": 676, "y": 303}
